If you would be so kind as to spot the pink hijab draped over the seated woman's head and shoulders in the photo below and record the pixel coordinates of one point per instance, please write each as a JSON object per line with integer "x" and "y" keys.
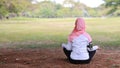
{"x": 78, "y": 30}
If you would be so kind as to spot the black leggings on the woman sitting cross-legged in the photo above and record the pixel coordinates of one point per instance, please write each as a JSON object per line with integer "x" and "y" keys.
{"x": 91, "y": 54}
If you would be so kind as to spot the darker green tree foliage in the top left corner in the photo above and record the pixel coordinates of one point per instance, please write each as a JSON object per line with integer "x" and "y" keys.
{"x": 13, "y": 6}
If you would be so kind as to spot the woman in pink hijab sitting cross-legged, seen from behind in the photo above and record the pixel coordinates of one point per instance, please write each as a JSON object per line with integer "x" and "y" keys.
{"x": 78, "y": 49}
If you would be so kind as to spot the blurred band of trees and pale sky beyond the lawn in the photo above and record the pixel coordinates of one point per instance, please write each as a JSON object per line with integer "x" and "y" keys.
{"x": 59, "y": 8}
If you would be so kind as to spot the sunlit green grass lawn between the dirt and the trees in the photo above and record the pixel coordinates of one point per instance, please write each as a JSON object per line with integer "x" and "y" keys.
{"x": 37, "y": 33}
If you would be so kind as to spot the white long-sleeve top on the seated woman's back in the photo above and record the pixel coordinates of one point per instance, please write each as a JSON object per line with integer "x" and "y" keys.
{"x": 78, "y": 47}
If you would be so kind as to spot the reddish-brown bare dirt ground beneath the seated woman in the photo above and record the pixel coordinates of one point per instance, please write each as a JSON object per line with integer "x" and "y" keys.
{"x": 54, "y": 58}
